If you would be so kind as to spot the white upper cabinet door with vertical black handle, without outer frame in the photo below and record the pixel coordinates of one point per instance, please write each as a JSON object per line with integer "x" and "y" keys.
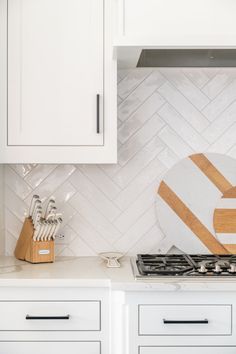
{"x": 55, "y": 73}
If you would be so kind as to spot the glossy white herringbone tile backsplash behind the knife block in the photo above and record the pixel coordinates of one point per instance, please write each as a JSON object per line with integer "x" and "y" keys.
{"x": 163, "y": 116}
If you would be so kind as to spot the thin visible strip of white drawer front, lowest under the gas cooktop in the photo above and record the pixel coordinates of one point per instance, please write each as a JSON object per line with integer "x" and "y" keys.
{"x": 187, "y": 350}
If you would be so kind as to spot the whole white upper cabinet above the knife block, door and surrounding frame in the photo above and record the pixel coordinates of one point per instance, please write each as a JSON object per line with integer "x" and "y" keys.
{"x": 56, "y": 108}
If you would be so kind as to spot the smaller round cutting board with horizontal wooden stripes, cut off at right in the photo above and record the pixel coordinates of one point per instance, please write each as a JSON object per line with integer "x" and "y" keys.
{"x": 225, "y": 220}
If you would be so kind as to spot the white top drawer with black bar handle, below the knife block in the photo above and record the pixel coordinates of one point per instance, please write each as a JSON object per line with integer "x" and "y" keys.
{"x": 50, "y": 316}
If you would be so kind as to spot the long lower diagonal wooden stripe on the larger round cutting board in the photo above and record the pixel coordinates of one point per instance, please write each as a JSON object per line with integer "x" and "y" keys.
{"x": 190, "y": 220}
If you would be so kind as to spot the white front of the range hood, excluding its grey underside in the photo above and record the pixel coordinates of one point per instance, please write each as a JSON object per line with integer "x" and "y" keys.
{"x": 170, "y": 23}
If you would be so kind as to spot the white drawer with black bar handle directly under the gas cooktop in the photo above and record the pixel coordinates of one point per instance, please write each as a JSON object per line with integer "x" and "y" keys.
{"x": 185, "y": 320}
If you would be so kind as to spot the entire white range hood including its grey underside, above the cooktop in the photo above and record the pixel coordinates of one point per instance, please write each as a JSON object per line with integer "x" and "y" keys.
{"x": 194, "y": 33}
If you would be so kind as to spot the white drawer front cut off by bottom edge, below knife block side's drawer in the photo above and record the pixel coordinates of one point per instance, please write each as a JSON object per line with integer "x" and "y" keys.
{"x": 50, "y": 347}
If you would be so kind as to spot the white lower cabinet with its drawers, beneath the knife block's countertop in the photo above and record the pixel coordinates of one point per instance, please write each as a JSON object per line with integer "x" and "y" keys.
{"x": 56, "y": 320}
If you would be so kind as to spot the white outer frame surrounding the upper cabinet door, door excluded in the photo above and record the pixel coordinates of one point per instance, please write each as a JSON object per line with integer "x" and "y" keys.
{"x": 106, "y": 153}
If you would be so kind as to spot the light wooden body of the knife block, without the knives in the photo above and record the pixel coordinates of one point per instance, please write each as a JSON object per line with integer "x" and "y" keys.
{"x": 33, "y": 251}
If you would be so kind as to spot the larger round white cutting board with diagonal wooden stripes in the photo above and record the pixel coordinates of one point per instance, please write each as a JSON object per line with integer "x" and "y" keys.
{"x": 186, "y": 200}
